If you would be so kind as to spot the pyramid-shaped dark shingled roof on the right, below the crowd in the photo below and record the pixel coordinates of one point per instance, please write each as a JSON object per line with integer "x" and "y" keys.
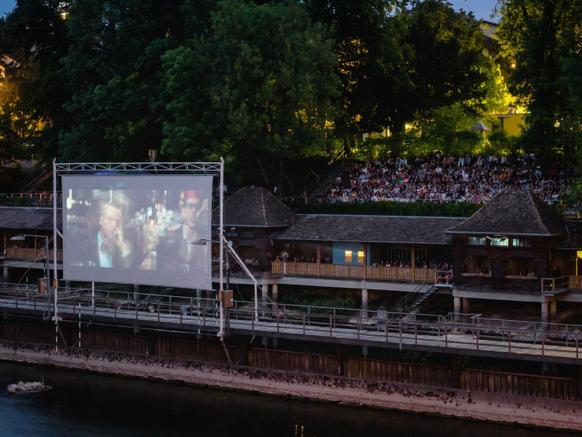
{"x": 518, "y": 213}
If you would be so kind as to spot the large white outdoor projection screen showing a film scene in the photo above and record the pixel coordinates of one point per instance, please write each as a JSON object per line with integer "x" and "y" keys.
{"x": 141, "y": 229}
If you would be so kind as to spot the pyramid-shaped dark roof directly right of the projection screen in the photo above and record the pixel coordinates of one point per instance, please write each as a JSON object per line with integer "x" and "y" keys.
{"x": 255, "y": 207}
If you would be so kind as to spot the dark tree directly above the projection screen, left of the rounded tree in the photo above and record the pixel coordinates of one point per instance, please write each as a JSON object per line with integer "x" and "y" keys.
{"x": 113, "y": 71}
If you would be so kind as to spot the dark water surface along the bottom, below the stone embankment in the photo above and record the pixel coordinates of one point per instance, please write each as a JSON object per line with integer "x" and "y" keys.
{"x": 94, "y": 405}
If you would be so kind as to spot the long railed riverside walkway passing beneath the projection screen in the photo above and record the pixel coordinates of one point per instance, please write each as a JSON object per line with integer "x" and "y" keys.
{"x": 468, "y": 334}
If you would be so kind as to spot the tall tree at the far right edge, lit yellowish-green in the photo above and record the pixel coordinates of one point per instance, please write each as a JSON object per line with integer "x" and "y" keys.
{"x": 544, "y": 39}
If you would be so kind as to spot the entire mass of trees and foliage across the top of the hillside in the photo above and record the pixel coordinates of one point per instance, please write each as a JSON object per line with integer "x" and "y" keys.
{"x": 266, "y": 83}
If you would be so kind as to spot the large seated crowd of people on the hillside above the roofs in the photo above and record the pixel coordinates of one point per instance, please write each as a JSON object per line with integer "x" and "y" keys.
{"x": 445, "y": 178}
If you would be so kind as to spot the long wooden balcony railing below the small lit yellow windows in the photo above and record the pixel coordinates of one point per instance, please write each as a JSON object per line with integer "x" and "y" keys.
{"x": 346, "y": 271}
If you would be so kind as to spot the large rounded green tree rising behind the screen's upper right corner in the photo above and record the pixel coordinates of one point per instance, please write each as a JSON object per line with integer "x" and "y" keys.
{"x": 260, "y": 88}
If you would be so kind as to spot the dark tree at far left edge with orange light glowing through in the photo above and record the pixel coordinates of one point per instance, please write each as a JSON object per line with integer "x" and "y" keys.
{"x": 33, "y": 40}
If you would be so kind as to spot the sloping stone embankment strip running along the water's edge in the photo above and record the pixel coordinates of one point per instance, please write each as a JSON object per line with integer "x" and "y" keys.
{"x": 555, "y": 414}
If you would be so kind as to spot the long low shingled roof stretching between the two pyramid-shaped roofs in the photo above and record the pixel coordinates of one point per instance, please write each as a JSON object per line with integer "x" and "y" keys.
{"x": 369, "y": 229}
